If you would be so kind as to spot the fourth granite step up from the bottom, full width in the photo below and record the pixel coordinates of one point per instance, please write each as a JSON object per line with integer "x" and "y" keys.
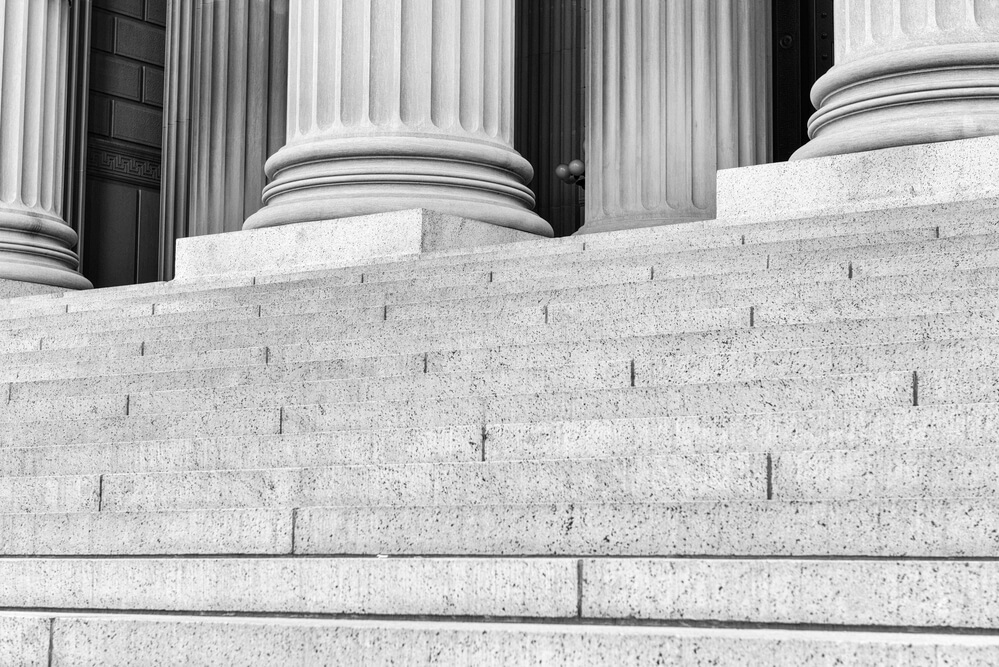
{"x": 799, "y": 475}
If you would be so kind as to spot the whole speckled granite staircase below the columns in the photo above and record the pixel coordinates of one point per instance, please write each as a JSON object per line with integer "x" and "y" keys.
{"x": 714, "y": 444}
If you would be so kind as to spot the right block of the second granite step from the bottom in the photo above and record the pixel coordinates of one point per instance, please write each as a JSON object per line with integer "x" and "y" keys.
{"x": 867, "y": 593}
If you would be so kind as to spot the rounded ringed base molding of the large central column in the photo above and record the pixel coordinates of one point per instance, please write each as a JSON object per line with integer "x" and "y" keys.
{"x": 328, "y": 179}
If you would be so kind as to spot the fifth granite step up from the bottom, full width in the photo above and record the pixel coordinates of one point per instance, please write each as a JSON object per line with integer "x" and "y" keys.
{"x": 943, "y": 426}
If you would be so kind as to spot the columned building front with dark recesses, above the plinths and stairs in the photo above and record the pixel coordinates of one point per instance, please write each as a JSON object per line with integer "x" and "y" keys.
{"x": 127, "y": 124}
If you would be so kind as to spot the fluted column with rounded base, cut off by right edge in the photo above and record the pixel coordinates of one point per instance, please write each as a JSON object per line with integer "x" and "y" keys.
{"x": 907, "y": 72}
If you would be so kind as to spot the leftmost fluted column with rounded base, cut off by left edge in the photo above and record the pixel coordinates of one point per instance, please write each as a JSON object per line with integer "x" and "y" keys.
{"x": 35, "y": 242}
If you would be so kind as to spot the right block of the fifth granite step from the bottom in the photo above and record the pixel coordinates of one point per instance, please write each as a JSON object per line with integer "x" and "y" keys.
{"x": 938, "y": 426}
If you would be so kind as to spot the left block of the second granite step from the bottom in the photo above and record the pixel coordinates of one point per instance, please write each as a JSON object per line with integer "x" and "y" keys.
{"x": 535, "y": 588}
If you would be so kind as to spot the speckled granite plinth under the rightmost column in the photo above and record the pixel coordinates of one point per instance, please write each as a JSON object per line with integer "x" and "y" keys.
{"x": 920, "y": 175}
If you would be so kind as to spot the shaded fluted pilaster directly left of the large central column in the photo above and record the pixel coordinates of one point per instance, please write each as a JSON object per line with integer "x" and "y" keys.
{"x": 227, "y": 67}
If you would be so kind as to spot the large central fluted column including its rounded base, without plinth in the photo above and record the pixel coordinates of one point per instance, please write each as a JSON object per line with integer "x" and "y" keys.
{"x": 400, "y": 104}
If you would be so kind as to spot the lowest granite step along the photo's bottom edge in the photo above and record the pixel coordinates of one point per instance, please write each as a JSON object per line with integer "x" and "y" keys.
{"x": 119, "y": 640}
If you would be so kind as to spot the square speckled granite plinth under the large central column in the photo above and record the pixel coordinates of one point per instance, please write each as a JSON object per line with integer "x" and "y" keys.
{"x": 335, "y": 243}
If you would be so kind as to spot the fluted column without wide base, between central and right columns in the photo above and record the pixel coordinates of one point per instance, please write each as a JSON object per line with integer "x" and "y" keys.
{"x": 678, "y": 90}
